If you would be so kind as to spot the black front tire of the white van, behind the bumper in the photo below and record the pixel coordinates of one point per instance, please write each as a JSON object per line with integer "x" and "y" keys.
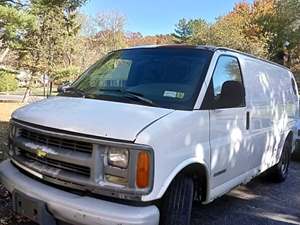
{"x": 176, "y": 208}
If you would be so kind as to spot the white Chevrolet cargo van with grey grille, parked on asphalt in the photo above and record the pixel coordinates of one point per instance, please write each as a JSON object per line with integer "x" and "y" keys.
{"x": 145, "y": 131}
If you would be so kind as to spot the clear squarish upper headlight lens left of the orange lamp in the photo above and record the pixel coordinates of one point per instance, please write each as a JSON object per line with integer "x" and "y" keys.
{"x": 118, "y": 157}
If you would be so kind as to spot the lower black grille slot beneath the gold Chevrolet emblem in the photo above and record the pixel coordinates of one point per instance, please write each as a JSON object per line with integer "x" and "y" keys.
{"x": 70, "y": 167}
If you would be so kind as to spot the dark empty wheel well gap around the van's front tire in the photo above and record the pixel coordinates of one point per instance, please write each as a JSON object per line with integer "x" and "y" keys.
{"x": 198, "y": 172}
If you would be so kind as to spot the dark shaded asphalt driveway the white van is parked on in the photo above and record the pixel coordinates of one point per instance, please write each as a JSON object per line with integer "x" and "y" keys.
{"x": 258, "y": 203}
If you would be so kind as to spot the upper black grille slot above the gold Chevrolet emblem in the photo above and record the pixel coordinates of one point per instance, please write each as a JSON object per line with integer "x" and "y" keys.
{"x": 50, "y": 141}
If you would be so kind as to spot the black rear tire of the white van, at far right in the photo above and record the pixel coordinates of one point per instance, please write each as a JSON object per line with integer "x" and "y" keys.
{"x": 279, "y": 172}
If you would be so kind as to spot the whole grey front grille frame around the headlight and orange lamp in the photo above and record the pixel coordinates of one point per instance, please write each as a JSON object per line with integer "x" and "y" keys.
{"x": 73, "y": 160}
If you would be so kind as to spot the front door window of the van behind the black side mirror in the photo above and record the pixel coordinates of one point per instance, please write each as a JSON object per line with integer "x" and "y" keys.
{"x": 227, "y": 83}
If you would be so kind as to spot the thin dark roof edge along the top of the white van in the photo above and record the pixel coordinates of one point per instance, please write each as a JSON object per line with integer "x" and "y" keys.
{"x": 209, "y": 48}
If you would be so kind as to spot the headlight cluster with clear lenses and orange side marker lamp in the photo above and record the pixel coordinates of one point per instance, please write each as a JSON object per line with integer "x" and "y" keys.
{"x": 131, "y": 168}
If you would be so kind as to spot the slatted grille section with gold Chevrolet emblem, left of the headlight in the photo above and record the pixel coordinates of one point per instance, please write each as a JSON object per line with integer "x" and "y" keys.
{"x": 60, "y": 157}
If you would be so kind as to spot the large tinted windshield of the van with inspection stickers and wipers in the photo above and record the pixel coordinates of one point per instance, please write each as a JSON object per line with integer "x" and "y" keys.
{"x": 160, "y": 77}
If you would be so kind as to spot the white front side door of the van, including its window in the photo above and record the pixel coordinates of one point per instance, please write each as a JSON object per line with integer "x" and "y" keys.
{"x": 228, "y": 117}
